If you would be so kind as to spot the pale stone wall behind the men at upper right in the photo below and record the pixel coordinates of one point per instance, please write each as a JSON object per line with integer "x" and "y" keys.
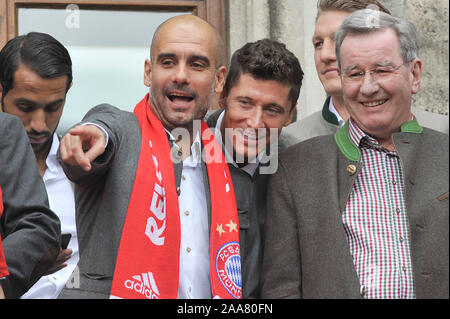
{"x": 292, "y": 22}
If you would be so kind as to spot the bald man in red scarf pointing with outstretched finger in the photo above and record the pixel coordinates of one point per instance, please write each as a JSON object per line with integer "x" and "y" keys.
{"x": 157, "y": 216}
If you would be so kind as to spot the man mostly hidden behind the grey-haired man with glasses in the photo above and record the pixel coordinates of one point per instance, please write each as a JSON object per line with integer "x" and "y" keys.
{"x": 331, "y": 13}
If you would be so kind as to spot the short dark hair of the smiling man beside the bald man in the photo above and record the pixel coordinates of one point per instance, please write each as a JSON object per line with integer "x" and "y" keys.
{"x": 266, "y": 60}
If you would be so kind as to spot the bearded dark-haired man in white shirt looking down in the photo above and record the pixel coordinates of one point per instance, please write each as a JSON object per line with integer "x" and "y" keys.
{"x": 38, "y": 76}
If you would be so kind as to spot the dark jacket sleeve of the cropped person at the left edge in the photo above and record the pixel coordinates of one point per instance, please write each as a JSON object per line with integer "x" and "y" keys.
{"x": 29, "y": 229}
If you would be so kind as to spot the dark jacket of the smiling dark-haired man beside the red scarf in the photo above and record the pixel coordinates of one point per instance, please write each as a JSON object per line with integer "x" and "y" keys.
{"x": 250, "y": 194}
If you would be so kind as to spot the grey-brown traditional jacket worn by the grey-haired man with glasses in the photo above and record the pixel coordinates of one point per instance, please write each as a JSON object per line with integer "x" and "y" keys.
{"x": 306, "y": 251}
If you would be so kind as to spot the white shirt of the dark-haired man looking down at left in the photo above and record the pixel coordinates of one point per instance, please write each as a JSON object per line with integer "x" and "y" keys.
{"x": 61, "y": 199}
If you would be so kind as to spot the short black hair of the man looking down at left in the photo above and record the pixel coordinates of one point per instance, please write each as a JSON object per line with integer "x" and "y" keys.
{"x": 37, "y": 51}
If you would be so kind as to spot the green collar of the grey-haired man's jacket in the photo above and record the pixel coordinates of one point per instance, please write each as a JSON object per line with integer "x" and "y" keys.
{"x": 352, "y": 152}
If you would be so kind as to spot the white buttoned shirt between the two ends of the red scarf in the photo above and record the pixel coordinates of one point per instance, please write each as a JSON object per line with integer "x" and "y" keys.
{"x": 194, "y": 278}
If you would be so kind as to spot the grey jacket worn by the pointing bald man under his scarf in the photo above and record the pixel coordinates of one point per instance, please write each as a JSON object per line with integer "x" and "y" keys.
{"x": 102, "y": 197}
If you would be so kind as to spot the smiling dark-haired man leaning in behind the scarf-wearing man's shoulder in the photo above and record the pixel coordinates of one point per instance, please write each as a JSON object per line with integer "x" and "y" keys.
{"x": 258, "y": 100}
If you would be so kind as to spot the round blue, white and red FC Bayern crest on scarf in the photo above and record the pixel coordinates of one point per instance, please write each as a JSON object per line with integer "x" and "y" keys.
{"x": 228, "y": 265}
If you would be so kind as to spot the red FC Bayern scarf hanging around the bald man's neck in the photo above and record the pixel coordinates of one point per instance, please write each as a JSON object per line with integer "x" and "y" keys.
{"x": 147, "y": 264}
